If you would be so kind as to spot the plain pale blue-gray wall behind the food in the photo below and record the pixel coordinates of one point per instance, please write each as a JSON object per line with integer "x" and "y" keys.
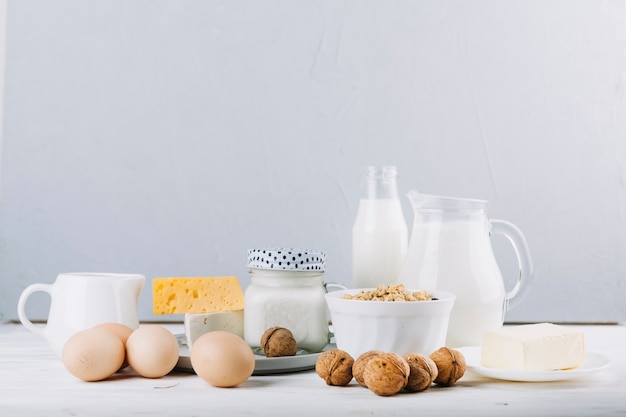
{"x": 168, "y": 137}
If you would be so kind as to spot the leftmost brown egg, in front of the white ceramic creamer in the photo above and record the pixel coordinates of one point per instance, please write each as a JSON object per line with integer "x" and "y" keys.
{"x": 93, "y": 354}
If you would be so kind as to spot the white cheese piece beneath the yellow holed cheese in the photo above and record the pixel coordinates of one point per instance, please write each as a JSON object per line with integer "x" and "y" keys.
{"x": 197, "y": 324}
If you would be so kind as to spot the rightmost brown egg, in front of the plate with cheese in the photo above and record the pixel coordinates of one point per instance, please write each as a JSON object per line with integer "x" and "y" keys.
{"x": 222, "y": 359}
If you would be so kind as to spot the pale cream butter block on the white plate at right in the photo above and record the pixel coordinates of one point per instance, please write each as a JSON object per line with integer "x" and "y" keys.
{"x": 537, "y": 347}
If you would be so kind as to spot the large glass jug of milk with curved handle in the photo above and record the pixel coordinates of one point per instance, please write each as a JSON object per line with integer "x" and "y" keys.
{"x": 450, "y": 249}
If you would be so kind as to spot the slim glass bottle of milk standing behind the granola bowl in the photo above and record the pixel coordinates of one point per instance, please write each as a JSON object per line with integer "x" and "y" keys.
{"x": 379, "y": 233}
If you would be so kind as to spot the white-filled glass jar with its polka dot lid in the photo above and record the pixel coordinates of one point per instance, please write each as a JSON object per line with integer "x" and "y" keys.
{"x": 286, "y": 289}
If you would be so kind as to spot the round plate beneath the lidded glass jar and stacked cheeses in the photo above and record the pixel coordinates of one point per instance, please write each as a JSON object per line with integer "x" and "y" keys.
{"x": 303, "y": 360}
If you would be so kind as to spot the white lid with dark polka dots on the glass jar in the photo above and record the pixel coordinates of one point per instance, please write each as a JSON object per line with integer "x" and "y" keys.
{"x": 287, "y": 259}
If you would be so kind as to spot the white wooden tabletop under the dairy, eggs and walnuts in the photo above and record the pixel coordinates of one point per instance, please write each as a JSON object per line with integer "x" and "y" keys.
{"x": 34, "y": 382}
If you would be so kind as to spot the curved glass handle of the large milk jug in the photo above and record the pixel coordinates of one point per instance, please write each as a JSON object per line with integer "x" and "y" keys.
{"x": 524, "y": 261}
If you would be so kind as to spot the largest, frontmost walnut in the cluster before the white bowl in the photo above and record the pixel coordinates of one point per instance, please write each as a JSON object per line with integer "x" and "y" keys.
{"x": 386, "y": 374}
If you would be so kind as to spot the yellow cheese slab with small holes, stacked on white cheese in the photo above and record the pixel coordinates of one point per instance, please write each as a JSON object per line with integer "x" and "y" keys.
{"x": 196, "y": 295}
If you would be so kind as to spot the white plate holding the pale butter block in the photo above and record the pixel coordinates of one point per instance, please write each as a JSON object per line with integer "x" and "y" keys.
{"x": 592, "y": 363}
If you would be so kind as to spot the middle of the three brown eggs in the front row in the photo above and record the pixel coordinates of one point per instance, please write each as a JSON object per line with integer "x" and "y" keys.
{"x": 152, "y": 351}
